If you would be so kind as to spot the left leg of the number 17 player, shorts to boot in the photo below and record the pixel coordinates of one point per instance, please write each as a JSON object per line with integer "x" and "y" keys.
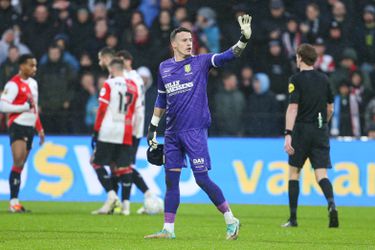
{"x": 103, "y": 156}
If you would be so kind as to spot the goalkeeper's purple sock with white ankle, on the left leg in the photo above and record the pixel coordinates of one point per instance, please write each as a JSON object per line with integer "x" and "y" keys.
{"x": 172, "y": 198}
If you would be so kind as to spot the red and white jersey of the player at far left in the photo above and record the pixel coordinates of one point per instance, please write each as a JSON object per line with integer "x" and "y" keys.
{"x": 17, "y": 92}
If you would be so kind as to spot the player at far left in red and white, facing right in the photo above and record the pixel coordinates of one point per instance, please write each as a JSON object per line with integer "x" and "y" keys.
{"x": 20, "y": 100}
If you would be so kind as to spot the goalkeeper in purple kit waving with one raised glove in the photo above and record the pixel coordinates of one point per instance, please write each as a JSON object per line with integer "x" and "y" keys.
{"x": 182, "y": 83}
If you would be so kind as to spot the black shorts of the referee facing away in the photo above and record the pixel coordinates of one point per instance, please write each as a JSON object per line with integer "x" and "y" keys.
{"x": 311, "y": 142}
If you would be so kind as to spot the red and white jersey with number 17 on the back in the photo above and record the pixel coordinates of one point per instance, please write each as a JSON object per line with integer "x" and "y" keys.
{"x": 121, "y": 96}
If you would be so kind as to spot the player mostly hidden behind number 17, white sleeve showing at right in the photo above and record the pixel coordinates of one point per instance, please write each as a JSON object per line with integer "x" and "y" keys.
{"x": 138, "y": 126}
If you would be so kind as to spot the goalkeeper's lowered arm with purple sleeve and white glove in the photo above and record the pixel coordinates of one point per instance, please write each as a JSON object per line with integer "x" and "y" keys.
{"x": 159, "y": 110}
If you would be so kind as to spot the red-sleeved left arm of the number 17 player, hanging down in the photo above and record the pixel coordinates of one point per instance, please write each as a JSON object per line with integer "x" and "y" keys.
{"x": 104, "y": 97}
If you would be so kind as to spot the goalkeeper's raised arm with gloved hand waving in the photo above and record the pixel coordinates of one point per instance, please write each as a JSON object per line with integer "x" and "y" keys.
{"x": 236, "y": 50}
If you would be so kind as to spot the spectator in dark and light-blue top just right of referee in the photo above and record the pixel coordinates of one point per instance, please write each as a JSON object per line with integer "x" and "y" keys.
{"x": 346, "y": 116}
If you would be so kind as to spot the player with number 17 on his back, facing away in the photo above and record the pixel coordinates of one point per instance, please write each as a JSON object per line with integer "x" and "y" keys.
{"x": 112, "y": 137}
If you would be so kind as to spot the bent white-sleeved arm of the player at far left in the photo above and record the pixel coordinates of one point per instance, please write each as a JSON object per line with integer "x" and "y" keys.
{"x": 7, "y": 97}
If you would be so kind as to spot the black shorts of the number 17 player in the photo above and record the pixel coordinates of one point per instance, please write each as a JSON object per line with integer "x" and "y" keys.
{"x": 110, "y": 153}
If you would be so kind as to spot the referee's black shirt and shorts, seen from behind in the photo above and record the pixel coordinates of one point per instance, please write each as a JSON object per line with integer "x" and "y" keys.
{"x": 311, "y": 90}
